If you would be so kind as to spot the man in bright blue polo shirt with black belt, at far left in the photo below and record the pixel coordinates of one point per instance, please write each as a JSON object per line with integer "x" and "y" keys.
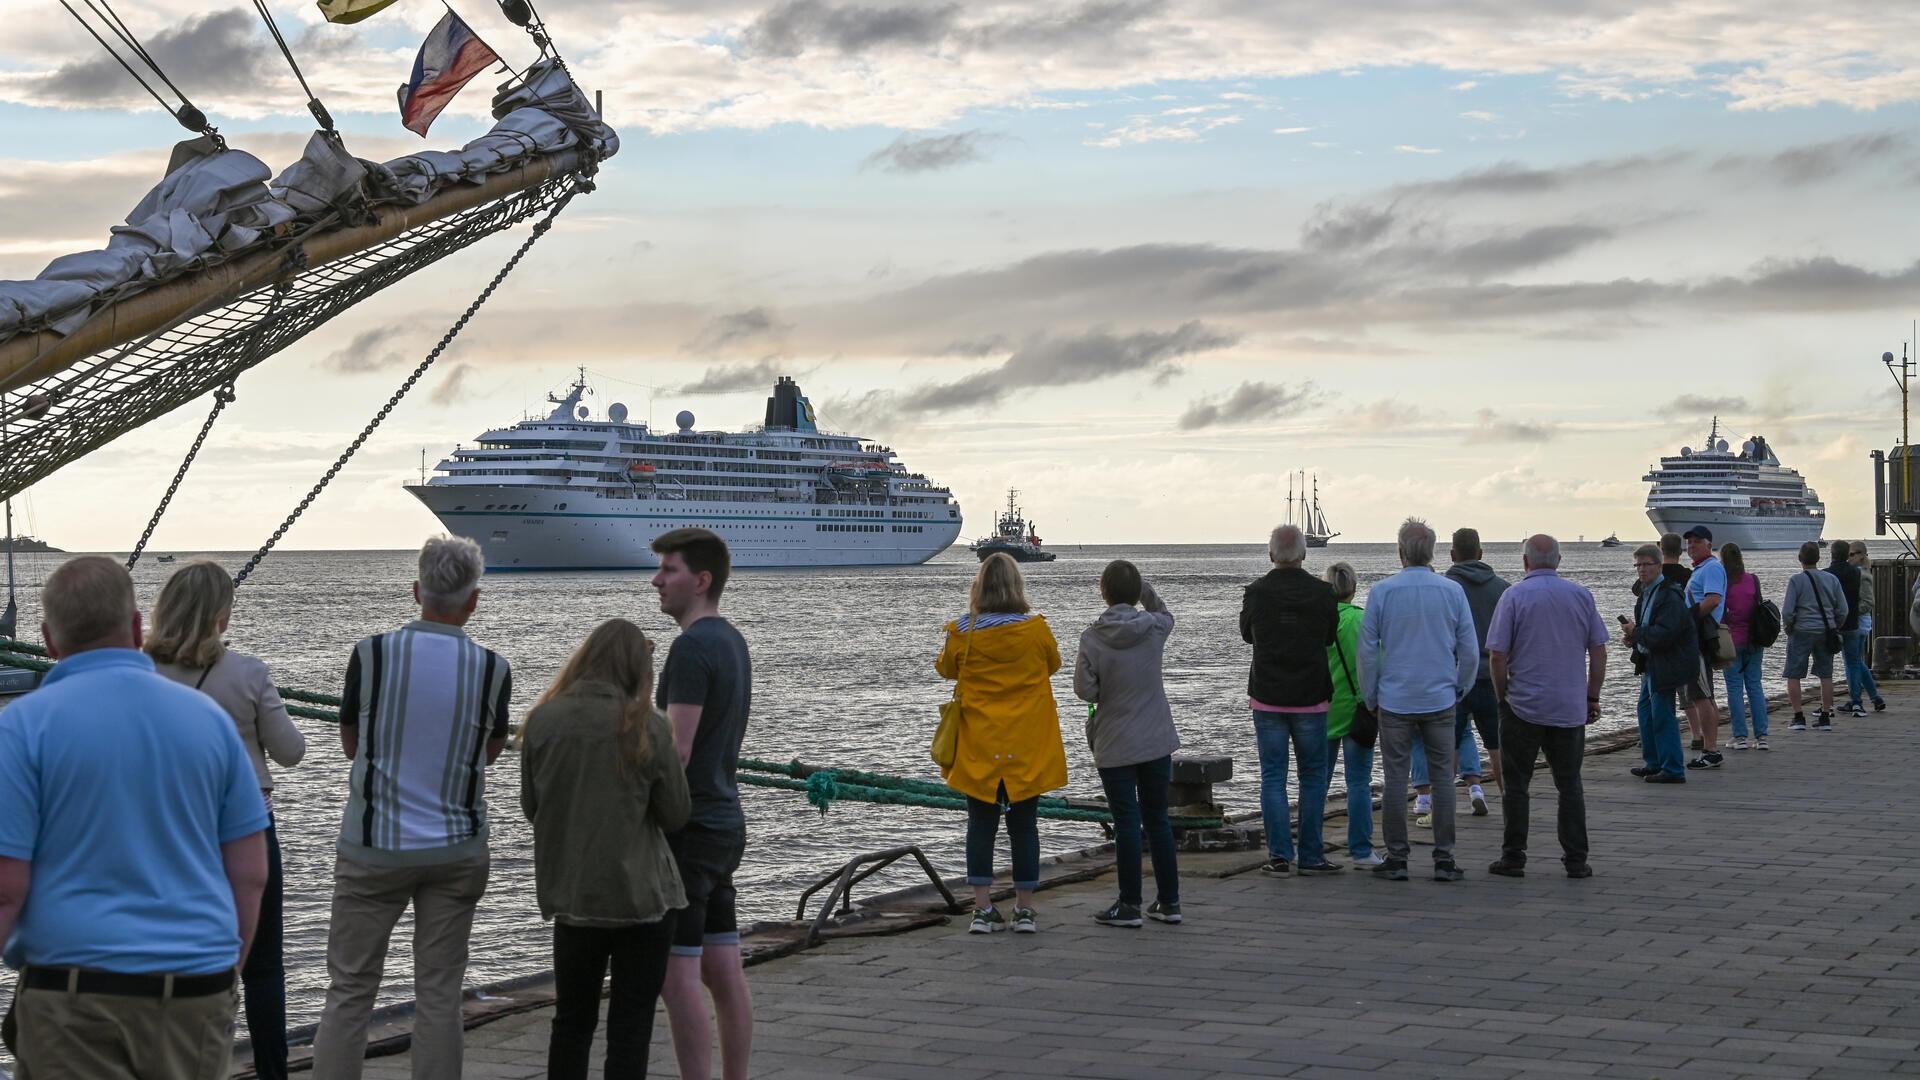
{"x": 132, "y": 852}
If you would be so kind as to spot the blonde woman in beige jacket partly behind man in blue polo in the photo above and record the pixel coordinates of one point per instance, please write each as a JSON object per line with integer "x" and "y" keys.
{"x": 185, "y": 643}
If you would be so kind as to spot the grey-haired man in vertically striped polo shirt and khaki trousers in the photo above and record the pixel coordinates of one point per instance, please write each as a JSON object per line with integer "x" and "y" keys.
{"x": 423, "y": 716}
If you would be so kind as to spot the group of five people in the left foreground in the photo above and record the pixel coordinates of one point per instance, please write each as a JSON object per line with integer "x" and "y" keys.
{"x": 135, "y": 920}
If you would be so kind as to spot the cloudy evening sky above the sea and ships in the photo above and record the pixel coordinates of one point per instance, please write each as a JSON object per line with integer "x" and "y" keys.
{"x": 1140, "y": 258}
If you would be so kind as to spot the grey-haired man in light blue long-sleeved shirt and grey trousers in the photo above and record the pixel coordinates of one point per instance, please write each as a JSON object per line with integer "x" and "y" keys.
{"x": 1418, "y": 658}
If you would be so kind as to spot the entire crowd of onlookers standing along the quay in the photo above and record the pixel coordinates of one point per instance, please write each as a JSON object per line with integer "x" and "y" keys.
{"x": 135, "y": 920}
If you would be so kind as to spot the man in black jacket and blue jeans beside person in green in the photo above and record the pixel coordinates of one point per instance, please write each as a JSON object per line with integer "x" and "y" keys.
{"x": 1291, "y": 622}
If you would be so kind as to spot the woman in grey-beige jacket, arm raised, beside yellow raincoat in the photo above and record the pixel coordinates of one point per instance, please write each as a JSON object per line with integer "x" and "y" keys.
{"x": 1130, "y": 729}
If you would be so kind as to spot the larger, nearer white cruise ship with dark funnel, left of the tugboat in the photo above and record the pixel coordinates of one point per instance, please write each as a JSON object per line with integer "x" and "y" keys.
{"x": 575, "y": 493}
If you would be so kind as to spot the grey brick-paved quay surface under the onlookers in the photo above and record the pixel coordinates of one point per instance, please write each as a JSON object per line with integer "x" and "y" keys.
{"x": 1760, "y": 921}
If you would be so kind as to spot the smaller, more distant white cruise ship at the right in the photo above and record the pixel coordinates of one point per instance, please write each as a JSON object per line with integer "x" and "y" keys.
{"x": 1746, "y": 499}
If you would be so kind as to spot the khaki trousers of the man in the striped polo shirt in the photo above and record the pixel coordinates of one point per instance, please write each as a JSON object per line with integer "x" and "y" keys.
{"x": 368, "y": 904}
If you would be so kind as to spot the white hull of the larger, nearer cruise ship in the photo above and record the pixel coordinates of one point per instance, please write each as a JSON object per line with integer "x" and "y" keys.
{"x": 544, "y": 529}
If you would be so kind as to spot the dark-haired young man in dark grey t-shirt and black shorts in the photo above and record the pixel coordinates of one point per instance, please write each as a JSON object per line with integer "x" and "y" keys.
{"x": 708, "y": 693}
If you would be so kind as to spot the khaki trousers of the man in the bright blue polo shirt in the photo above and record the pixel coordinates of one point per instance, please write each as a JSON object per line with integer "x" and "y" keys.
{"x": 105, "y": 1037}
